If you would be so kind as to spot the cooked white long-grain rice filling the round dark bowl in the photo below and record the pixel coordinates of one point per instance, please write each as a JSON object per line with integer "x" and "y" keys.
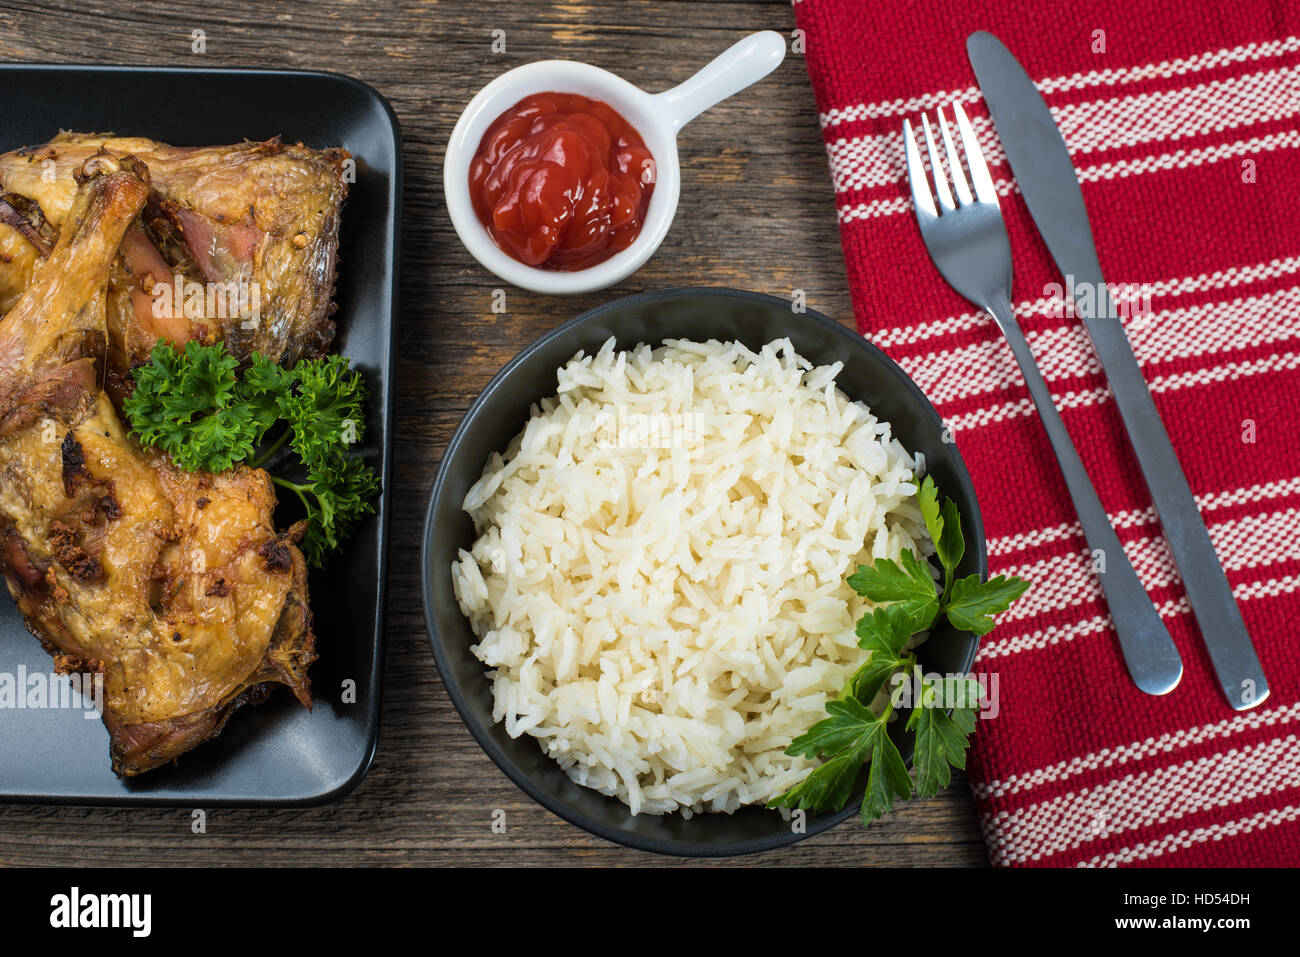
{"x": 658, "y": 583}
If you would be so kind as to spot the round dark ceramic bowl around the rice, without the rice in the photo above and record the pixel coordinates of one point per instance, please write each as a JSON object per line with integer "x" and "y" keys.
{"x": 500, "y": 414}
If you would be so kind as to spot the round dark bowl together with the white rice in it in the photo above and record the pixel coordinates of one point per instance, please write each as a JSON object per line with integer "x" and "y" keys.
{"x": 636, "y": 549}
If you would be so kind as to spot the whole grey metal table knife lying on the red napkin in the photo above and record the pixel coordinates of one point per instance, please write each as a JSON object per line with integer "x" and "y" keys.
{"x": 1045, "y": 172}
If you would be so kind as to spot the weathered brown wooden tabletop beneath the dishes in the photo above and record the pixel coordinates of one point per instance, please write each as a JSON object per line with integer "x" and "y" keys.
{"x": 757, "y": 213}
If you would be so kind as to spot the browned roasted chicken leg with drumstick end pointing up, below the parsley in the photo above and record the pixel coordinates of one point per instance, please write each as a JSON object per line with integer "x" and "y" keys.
{"x": 175, "y": 586}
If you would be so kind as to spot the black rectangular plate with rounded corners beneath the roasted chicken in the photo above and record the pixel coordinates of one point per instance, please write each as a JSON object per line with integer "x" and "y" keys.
{"x": 276, "y": 754}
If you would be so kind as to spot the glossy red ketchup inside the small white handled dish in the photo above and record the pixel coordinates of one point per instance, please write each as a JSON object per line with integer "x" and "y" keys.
{"x": 562, "y": 181}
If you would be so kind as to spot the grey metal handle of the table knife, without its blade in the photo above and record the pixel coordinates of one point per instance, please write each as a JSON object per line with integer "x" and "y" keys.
{"x": 1208, "y": 591}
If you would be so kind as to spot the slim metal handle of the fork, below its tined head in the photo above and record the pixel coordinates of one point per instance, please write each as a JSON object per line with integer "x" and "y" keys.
{"x": 1150, "y": 653}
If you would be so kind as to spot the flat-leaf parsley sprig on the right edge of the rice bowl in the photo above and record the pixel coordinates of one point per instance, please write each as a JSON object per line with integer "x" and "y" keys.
{"x": 909, "y": 601}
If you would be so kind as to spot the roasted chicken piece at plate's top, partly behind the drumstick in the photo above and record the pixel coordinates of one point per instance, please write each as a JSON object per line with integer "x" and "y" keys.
{"x": 252, "y": 229}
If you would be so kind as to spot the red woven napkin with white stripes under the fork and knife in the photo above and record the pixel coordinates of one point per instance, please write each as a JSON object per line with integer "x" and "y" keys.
{"x": 1185, "y": 127}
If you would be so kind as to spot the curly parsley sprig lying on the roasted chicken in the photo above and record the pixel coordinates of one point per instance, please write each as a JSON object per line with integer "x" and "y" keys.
{"x": 196, "y": 406}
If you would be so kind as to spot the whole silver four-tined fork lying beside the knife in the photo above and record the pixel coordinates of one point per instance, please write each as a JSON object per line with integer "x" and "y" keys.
{"x": 968, "y": 243}
